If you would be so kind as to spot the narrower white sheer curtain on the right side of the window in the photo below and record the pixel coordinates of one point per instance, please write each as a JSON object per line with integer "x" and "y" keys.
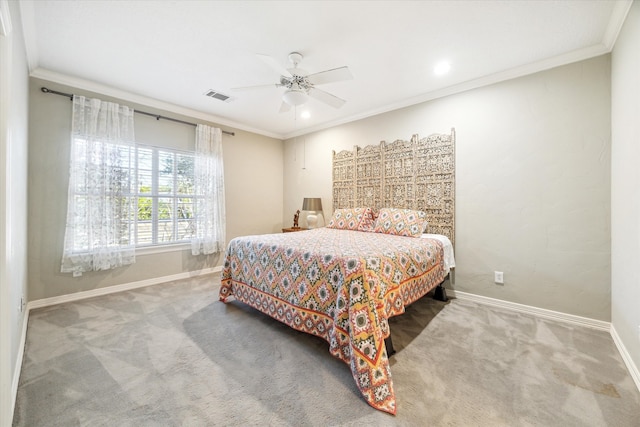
{"x": 209, "y": 207}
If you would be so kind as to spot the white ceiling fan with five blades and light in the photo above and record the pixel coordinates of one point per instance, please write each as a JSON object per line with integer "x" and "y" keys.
{"x": 300, "y": 85}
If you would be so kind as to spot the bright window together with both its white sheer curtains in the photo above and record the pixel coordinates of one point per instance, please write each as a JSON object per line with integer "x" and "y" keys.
{"x": 123, "y": 195}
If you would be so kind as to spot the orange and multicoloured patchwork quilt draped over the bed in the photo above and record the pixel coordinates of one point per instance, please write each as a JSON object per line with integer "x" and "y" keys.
{"x": 341, "y": 285}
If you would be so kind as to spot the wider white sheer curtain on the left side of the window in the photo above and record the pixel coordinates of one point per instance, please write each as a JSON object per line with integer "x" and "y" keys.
{"x": 102, "y": 204}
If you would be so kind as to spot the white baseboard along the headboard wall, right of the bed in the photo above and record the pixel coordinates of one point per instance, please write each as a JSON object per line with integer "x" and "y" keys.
{"x": 535, "y": 311}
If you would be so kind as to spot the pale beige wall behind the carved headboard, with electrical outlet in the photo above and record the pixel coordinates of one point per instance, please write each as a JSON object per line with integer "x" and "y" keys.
{"x": 533, "y": 182}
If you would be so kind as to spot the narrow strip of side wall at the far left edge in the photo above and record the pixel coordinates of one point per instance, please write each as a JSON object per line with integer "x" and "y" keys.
{"x": 13, "y": 203}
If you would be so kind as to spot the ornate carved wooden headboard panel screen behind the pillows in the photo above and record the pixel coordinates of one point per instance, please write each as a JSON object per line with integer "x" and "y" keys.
{"x": 417, "y": 174}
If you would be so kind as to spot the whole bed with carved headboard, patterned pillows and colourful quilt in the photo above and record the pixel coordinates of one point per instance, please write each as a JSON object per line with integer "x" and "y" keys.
{"x": 344, "y": 281}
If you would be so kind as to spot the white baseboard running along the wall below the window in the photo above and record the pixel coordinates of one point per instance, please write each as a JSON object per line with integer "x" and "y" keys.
{"x": 45, "y": 302}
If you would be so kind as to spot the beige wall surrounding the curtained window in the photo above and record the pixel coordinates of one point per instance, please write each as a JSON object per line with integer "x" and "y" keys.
{"x": 253, "y": 185}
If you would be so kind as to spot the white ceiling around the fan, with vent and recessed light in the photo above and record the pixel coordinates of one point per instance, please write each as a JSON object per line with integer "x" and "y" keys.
{"x": 174, "y": 51}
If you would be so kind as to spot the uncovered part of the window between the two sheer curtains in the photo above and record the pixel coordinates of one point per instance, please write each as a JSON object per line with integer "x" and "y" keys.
{"x": 166, "y": 196}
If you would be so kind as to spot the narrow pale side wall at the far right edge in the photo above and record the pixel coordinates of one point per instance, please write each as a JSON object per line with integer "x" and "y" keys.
{"x": 625, "y": 186}
